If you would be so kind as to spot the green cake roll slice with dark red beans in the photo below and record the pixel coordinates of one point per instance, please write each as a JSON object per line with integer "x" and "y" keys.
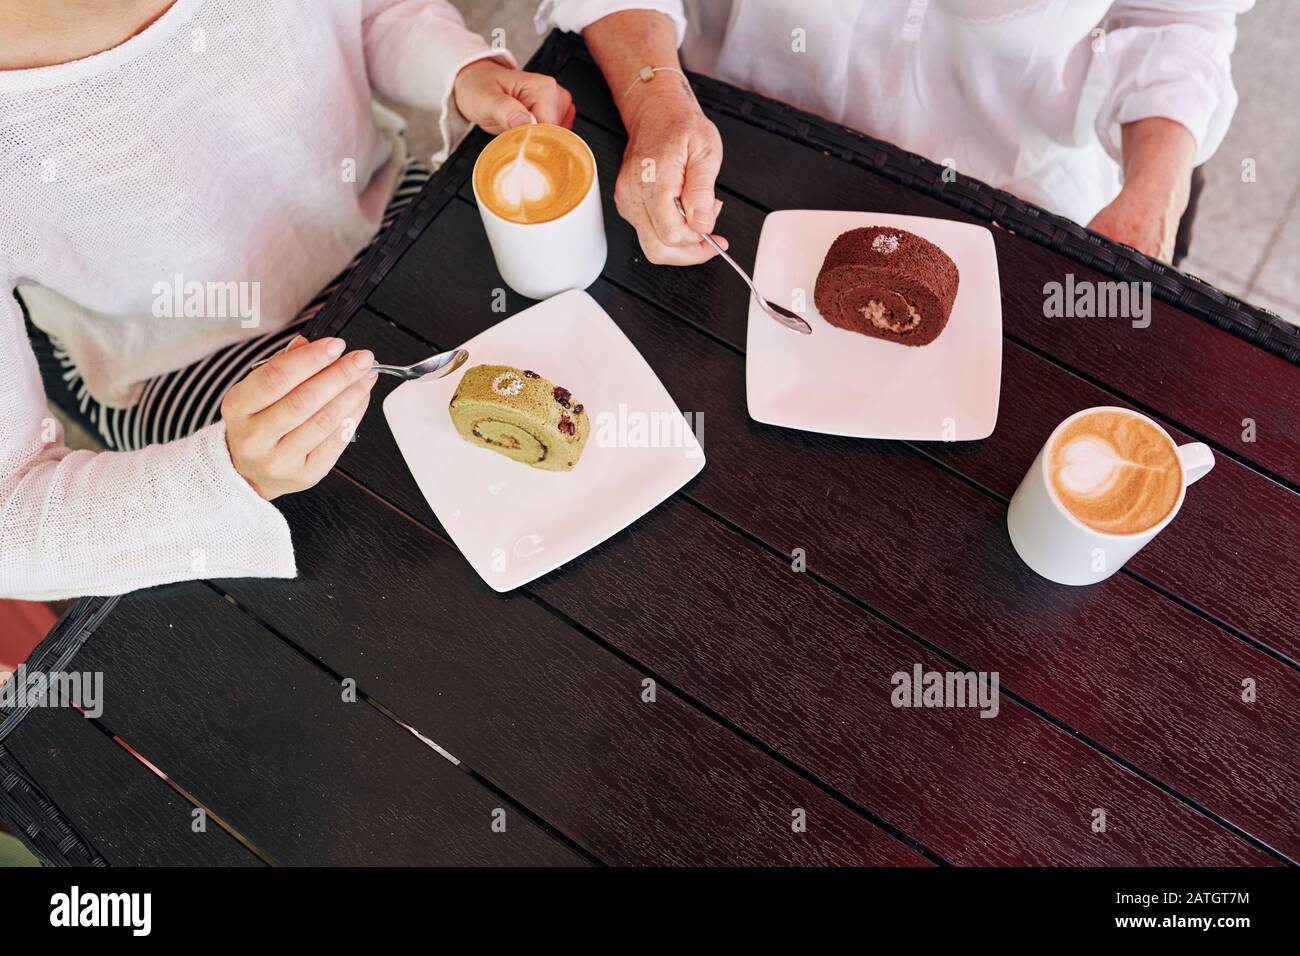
{"x": 522, "y": 416}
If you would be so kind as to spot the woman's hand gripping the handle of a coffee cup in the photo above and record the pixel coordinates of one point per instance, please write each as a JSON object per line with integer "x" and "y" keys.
{"x": 497, "y": 97}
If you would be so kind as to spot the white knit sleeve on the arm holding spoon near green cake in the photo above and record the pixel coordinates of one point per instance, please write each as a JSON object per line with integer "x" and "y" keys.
{"x": 76, "y": 524}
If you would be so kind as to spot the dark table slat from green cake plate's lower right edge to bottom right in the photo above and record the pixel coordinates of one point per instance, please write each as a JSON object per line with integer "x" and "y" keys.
{"x": 818, "y": 686}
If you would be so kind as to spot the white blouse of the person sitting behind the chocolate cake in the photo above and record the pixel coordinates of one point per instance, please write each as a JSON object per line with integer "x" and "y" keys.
{"x": 1028, "y": 96}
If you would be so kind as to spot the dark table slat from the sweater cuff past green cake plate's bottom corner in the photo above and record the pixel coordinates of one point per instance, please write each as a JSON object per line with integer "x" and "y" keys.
{"x": 539, "y": 708}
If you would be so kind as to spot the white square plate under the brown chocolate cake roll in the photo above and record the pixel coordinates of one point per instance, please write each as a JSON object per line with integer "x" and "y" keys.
{"x": 844, "y": 383}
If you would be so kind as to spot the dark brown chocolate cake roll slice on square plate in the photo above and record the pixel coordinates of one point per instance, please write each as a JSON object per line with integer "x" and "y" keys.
{"x": 889, "y": 284}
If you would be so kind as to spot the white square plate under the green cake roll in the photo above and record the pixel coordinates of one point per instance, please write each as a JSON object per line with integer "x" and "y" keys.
{"x": 515, "y": 524}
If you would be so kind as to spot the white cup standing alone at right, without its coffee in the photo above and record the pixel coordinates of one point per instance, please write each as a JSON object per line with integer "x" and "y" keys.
{"x": 1064, "y": 550}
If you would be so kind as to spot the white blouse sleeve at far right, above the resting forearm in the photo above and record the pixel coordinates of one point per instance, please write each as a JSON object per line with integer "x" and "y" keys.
{"x": 1171, "y": 59}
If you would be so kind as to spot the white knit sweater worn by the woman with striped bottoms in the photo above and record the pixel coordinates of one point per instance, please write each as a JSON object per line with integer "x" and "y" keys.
{"x": 232, "y": 141}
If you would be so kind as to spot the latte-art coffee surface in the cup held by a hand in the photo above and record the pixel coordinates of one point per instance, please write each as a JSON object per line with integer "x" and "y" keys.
{"x": 534, "y": 174}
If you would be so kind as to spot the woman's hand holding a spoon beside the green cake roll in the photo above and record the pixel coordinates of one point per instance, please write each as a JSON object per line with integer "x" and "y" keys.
{"x": 289, "y": 421}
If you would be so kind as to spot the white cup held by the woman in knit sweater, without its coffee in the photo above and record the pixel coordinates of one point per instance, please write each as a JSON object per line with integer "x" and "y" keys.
{"x": 544, "y": 259}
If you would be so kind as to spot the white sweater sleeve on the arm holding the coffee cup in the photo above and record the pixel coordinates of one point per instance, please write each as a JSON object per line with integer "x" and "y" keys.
{"x": 414, "y": 51}
